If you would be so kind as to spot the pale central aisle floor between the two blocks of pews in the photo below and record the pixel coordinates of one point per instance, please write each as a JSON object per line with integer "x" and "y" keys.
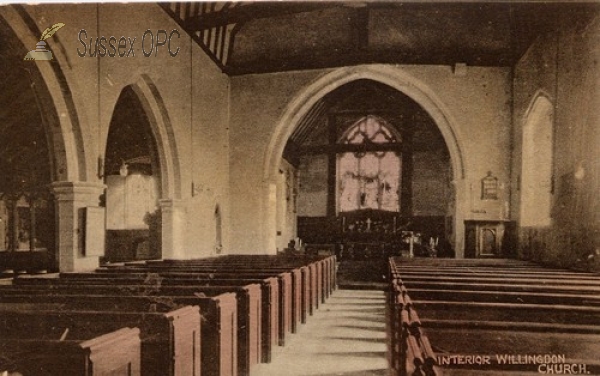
{"x": 345, "y": 337}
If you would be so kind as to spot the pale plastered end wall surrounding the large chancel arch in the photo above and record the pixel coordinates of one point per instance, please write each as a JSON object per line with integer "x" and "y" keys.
{"x": 478, "y": 105}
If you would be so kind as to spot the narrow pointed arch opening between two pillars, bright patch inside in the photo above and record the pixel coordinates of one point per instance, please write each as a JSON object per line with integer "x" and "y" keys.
{"x": 133, "y": 177}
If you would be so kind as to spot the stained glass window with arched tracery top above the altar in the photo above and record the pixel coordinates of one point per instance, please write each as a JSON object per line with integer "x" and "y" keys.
{"x": 369, "y": 179}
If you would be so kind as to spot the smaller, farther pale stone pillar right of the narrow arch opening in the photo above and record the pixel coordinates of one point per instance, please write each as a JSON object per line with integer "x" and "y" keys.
{"x": 173, "y": 215}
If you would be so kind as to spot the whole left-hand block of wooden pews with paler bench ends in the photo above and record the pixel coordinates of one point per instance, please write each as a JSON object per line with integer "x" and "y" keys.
{"x": 211, "y": 317}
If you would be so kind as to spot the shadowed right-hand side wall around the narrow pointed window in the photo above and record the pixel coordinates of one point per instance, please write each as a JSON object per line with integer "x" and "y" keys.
{"x": 563, "y": 67}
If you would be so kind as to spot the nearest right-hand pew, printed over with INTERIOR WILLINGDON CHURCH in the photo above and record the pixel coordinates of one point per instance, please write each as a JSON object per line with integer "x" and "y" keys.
{"x": 495, "y": 345}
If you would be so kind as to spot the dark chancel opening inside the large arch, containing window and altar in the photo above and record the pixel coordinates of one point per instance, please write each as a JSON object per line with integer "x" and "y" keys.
{"x": 374, "y": 174}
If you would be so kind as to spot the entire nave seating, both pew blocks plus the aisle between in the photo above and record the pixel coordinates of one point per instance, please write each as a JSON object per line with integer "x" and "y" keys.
{"x": 273, "y": 315}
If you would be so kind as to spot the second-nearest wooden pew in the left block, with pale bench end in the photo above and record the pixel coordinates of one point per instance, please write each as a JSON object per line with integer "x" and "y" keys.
{"x": 169, "y": 340}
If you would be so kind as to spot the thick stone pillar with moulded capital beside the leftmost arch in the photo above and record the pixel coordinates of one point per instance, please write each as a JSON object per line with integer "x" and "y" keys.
{"x": 71, "y": 199}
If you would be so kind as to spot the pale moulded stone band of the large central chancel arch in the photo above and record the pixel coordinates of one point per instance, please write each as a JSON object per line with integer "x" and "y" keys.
{"x": 431, "y": 111}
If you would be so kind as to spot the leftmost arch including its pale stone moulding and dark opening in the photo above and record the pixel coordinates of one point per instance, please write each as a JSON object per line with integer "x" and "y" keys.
{"x": 46, "y": 147}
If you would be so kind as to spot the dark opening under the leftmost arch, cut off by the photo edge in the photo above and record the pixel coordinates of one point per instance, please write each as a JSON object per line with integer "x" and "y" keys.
{"x": 27, "y": 163}
